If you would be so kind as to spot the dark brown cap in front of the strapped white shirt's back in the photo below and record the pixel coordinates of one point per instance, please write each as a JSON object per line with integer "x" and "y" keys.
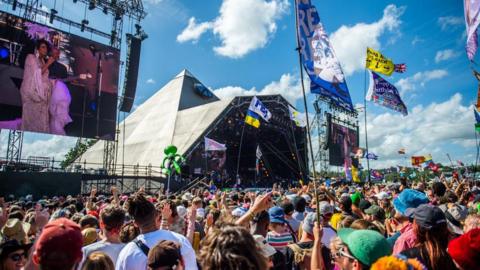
{"x": 164, "y": 254}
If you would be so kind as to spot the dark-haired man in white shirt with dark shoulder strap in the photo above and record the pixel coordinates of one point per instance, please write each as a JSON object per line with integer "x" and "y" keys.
{"x": 134, "y": 255}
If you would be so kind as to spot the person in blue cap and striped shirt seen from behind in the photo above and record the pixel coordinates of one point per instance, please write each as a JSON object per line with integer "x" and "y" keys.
{"x": 279, "y": 235}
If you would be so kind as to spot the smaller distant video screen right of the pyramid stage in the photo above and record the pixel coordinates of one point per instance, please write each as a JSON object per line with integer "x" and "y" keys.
{"x": 343, "y": 141}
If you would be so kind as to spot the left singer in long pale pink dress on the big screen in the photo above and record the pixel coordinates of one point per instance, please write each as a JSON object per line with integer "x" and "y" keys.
{"x": 36, "y": 90}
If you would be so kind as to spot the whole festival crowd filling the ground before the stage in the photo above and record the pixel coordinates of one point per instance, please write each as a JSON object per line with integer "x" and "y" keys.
{"x": 404, "y": 225}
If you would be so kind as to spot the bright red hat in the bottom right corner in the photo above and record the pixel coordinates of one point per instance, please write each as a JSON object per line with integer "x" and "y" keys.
{"x": 465, "y": 250}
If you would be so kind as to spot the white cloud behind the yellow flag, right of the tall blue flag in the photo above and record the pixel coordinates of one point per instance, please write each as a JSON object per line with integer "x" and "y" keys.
{"x": 350, "y": 42}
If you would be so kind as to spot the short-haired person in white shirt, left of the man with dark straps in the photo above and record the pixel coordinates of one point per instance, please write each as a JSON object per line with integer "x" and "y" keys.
{"x": 111, "y": 220}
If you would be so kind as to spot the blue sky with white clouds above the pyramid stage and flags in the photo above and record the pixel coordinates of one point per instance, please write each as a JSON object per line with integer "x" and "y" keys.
{"x": 246, "y": 47}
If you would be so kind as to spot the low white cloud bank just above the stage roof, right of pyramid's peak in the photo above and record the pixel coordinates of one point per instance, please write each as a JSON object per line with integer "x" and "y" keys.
{"x": 288, "y": 86}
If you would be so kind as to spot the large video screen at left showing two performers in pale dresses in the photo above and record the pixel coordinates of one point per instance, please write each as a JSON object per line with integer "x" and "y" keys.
{"x": 55, "y": 82}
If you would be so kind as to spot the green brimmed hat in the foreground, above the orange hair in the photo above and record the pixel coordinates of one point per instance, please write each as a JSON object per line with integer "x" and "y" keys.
{"x": 365, "y": 245}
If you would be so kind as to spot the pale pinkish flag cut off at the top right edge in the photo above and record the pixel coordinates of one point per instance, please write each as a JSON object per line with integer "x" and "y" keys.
{"x": 472, "y": 20}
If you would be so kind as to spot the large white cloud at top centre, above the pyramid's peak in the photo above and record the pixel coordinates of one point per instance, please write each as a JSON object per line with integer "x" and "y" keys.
{"x": 242, "y": 26}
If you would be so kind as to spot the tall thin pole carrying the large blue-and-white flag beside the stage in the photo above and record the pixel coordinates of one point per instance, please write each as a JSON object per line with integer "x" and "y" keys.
{"x": 299, "y": 50}
